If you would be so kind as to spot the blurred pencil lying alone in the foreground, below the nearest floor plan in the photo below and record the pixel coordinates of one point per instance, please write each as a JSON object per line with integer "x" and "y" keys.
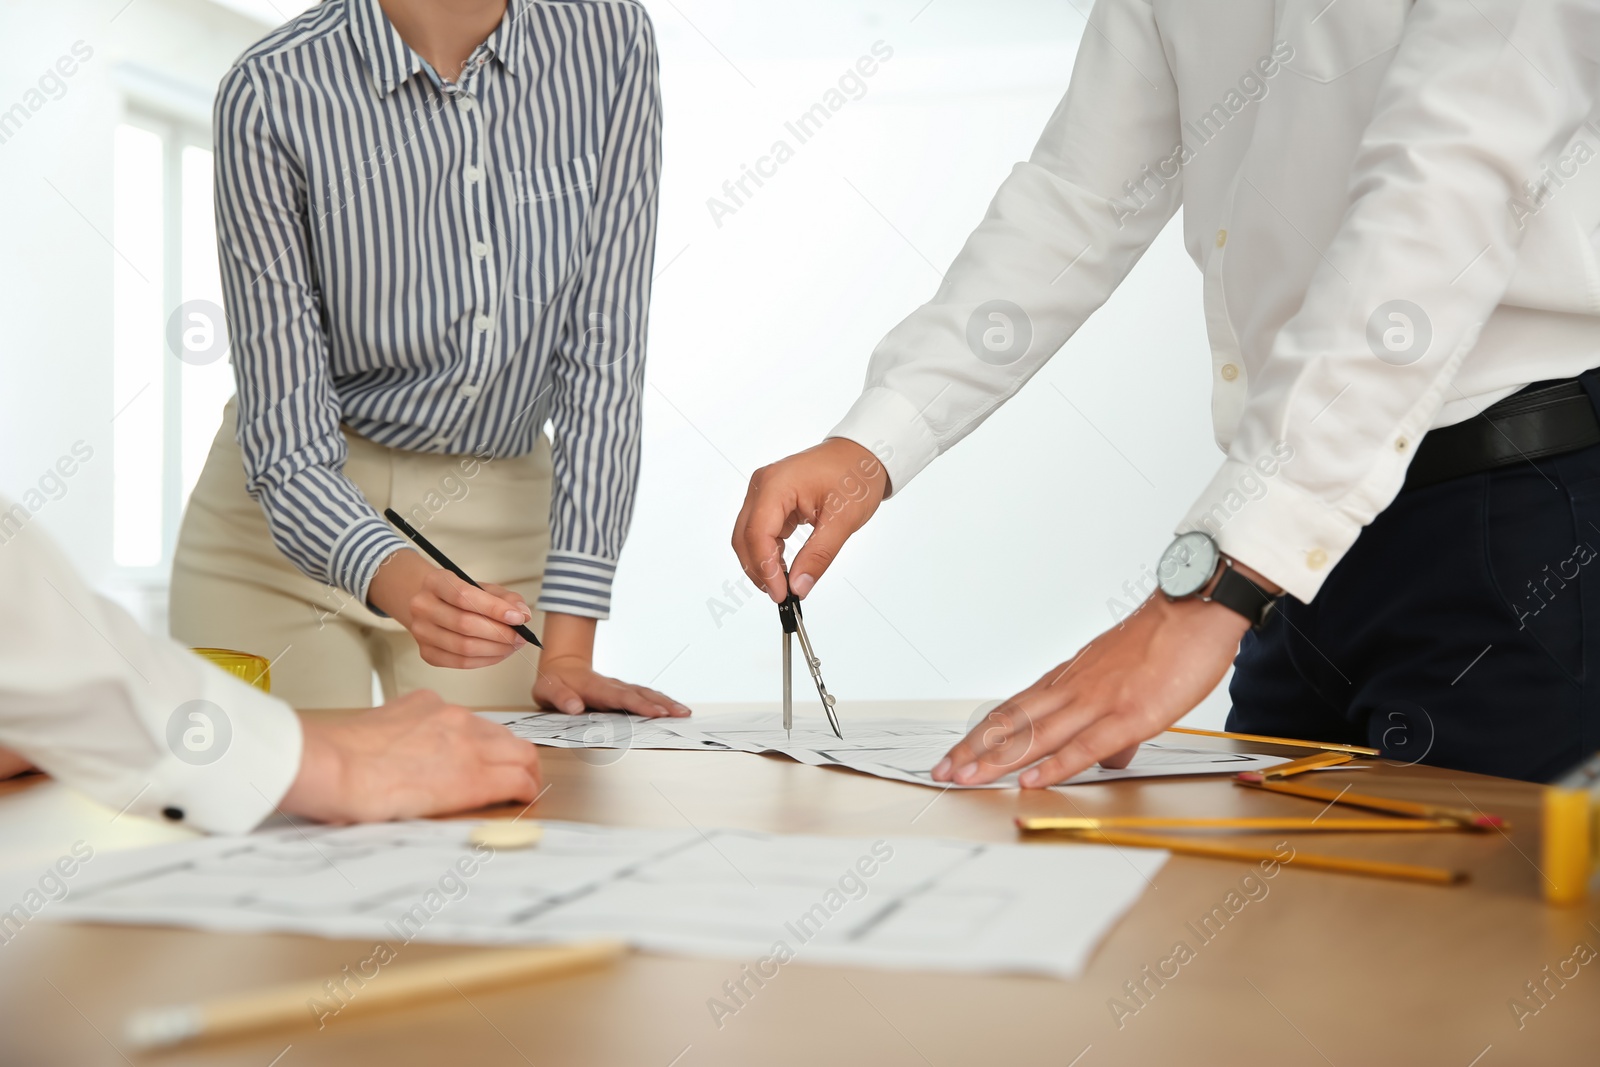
{"x": 286, "y": 1005}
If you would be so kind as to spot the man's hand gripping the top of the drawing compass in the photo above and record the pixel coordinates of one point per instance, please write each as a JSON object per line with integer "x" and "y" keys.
{"x": 834, "y": 489}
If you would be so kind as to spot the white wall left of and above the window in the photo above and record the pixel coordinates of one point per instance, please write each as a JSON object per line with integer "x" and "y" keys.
{"x": 55, "y": 239}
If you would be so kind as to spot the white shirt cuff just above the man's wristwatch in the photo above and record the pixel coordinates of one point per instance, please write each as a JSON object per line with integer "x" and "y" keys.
{"x": 1273, "y": 526}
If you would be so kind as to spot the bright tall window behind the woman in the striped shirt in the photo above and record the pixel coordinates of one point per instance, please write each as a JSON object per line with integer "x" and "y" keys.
{"x": 170, "y": 377}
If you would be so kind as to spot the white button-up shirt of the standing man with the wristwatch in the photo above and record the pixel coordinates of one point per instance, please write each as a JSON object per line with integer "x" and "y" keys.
{"x": 1332, "y": 161}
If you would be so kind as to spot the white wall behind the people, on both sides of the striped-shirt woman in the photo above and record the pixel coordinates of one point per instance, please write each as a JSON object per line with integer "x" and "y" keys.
{"x": 994, "y": 565}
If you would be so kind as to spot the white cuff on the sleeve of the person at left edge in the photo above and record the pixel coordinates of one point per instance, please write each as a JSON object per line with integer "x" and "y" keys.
{"x": 260, "y": 740}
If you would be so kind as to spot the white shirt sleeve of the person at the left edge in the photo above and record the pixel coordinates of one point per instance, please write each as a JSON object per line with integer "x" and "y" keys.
{"x": 134, "y": 721}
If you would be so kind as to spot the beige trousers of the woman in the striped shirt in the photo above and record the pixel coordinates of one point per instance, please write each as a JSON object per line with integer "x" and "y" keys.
{"x": 234, "y": 589}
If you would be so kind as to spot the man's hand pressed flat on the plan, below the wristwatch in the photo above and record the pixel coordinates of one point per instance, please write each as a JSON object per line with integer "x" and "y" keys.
{"x": 1127, "y": 685}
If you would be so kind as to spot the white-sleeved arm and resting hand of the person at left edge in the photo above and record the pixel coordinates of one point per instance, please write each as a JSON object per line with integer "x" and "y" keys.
{"x": 146, "y": 727}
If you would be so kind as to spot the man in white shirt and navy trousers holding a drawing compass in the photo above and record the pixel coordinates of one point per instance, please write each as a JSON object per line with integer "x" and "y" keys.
{"x": 1394, "y": 212}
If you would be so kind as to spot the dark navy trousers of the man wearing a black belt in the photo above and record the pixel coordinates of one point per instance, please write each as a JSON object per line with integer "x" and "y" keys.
{"x": 1462, "y": 631}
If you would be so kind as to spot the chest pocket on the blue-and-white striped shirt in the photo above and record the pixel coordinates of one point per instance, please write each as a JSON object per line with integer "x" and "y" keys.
{"x": 551, "y": 212}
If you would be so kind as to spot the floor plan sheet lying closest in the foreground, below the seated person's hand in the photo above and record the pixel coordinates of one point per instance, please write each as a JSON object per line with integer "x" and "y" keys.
{"x": 884, "y": 903}
